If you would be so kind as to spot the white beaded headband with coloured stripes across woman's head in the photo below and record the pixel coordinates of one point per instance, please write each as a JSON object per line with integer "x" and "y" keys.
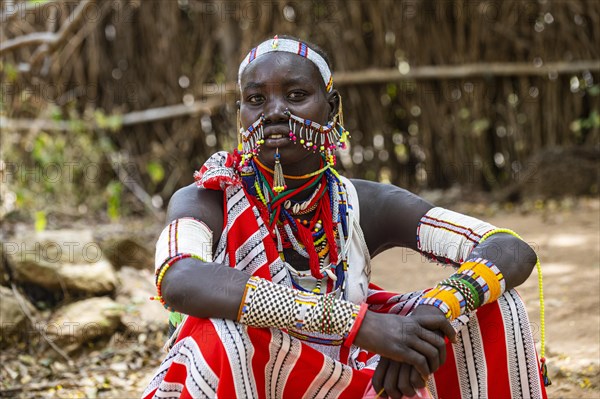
{"x": 289, "y": 46}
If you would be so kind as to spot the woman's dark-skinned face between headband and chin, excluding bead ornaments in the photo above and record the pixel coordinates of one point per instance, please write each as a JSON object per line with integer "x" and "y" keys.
{"x": 273, "y": 83}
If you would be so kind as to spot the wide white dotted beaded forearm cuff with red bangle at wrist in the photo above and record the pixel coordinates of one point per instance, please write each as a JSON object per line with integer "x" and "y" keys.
{"x": 266, "y": 304}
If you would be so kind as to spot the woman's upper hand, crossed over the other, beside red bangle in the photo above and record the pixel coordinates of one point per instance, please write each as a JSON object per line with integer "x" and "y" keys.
{"x": 407, "y": 339}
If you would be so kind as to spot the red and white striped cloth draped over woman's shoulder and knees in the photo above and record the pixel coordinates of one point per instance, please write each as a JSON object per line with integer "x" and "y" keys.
{"x": 494, "y": 357}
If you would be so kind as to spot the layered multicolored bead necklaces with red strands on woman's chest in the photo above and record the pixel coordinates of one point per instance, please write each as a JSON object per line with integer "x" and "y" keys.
{"x": 321, "y": 238}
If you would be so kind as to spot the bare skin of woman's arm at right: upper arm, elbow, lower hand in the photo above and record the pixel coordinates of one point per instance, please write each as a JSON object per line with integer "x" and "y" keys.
{"x": 389, "y": 217}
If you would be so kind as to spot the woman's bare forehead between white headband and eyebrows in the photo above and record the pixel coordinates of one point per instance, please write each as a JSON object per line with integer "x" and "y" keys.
{"x": 280, "y": 68}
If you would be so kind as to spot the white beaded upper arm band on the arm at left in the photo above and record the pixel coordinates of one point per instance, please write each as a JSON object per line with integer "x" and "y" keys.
{"x": 182, "y": 238}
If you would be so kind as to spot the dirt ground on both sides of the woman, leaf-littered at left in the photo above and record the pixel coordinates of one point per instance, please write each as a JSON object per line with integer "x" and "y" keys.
{"x": 566, "y": 235}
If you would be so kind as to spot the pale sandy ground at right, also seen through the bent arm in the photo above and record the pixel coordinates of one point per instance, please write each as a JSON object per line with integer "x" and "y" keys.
{"x": 567, "y": 239}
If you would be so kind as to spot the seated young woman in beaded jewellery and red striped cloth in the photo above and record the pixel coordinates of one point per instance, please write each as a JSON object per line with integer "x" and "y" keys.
{"x": 269, "y": 254}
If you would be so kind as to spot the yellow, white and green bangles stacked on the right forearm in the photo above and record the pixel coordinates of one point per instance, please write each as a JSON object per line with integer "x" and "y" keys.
{"x": 476, "y": 283}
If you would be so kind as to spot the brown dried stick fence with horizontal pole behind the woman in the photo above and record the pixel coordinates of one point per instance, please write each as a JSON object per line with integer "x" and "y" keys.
{"x": 426, "y": 85}
